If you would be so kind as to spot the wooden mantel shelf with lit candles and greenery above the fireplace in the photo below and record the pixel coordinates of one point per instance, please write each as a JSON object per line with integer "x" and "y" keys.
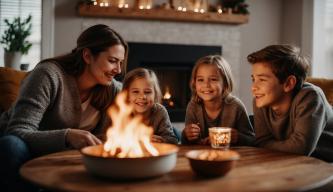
{"x": 172, "y": 10}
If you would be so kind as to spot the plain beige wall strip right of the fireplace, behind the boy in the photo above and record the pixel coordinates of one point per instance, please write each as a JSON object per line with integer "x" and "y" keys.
{"x": 264, "y": 28}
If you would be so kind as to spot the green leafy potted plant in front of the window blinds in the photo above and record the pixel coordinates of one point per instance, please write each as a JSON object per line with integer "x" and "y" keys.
{"x": 15, "y": 40}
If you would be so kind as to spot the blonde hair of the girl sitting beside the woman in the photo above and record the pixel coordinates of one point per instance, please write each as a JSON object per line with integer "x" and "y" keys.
{"x": 148, "y": 74}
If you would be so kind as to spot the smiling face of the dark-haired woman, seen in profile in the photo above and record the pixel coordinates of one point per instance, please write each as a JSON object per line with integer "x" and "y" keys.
{"x": 106, "y": 65}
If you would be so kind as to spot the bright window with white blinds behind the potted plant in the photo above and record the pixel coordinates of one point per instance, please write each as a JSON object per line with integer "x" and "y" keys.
{"x": 14, "y": 8}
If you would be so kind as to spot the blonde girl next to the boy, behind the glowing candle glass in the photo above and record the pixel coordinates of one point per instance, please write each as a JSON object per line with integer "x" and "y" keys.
{"x": 212, "y": 104}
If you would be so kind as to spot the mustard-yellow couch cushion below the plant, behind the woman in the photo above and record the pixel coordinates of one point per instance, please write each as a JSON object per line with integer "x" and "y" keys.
{"x": 10, "y": 81}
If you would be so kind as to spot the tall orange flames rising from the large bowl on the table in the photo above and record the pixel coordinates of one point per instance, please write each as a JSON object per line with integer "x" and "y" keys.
{"x": 128, "y": 136}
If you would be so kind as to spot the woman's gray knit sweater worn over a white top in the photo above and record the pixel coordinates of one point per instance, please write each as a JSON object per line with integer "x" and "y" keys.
{"x": 47, "y": 106}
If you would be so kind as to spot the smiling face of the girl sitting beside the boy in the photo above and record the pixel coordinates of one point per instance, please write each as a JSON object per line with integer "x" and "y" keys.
{"x": 208, "y": 83}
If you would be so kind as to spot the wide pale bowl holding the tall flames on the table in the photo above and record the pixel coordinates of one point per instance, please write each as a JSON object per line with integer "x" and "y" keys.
{"x": 130, "y": 168}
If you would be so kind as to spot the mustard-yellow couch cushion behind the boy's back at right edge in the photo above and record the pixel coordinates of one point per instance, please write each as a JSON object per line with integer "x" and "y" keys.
{"x": 325, "y": 84}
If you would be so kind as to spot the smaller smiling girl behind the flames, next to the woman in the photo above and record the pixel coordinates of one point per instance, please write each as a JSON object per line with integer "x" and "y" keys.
{"x": 145, "y": 95}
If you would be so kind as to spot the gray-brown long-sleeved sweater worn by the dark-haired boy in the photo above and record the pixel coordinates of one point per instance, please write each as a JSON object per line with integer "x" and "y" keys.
{"x": 306, "y": 129}
